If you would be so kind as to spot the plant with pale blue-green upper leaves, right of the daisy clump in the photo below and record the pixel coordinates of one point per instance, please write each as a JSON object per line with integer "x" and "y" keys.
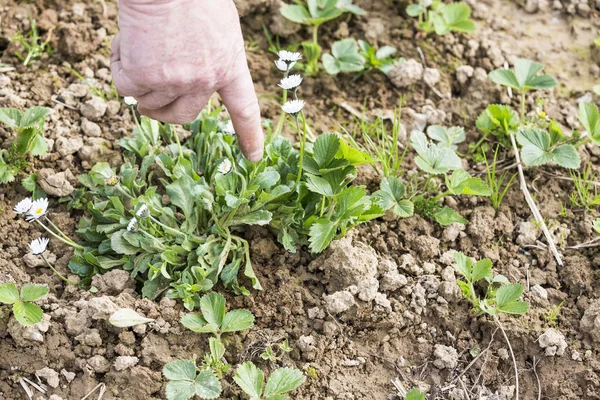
{"x": 436, "y": 155}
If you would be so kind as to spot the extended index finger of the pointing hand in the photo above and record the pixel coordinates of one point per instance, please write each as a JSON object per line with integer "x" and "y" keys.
{"x": 240, "y": 99}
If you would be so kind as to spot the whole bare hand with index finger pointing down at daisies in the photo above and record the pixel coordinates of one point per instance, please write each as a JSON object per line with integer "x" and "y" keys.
{"x": 172, "y": 55}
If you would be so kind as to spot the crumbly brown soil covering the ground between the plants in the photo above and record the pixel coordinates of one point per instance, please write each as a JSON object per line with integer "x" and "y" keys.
{"x": 417, "y": 315}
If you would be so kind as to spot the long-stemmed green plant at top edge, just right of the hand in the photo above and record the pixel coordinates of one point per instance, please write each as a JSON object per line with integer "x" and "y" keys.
{"x": 314, "y": 13}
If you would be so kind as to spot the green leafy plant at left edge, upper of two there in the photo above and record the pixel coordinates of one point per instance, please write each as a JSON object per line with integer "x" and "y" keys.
{"x": 30, "y": 140}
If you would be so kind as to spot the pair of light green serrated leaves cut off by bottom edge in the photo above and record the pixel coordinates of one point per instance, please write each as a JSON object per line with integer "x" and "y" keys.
{"x": 281, "y": 381}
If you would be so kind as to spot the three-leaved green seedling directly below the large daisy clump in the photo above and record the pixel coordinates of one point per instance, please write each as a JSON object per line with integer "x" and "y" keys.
{"x": 215, "y": 320}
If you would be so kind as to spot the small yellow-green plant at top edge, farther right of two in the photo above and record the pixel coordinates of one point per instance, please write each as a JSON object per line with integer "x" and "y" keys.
{"x": 436, "y": 16}
